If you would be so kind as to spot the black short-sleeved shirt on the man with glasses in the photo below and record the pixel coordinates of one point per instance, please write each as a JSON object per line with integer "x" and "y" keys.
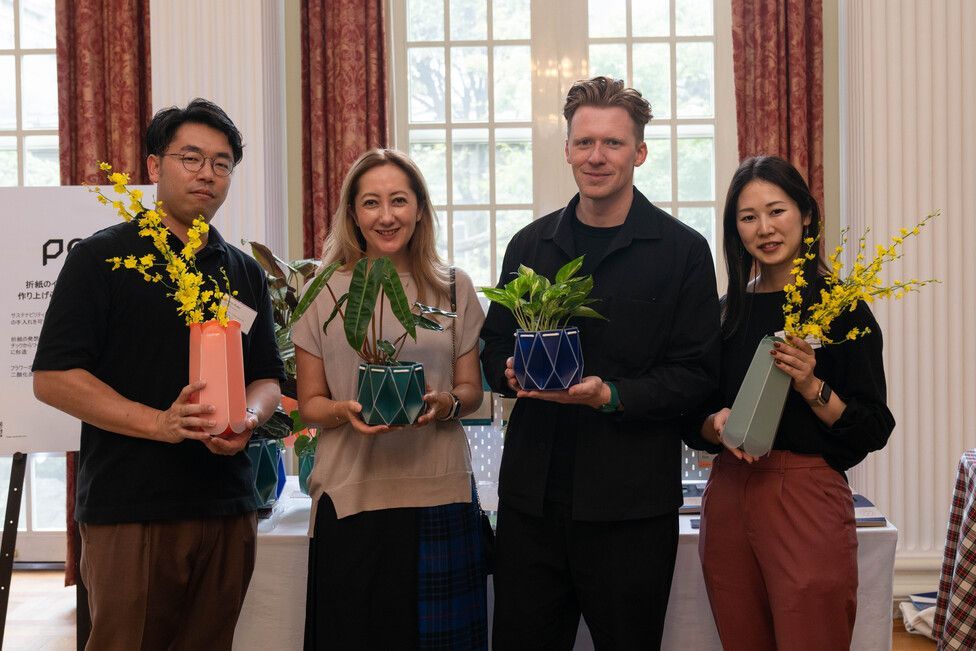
{"x": 127, "y": 333}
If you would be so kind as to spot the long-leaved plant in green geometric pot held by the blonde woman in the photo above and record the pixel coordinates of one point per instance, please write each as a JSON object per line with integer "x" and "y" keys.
{"x": 391, "y": 391}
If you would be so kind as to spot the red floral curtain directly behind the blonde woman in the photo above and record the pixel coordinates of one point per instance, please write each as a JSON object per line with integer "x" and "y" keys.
{"x": 343, "y": 101}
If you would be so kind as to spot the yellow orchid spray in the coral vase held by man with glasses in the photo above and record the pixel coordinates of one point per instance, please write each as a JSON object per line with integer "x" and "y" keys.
{"x": 177, "y": 270}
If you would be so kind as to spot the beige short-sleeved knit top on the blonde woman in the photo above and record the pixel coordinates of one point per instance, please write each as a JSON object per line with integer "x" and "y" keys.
{"x": 408, "y": 467}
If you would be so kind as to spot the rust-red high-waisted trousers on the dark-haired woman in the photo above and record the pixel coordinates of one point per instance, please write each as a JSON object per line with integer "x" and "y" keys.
{"x": 778, "y": 547}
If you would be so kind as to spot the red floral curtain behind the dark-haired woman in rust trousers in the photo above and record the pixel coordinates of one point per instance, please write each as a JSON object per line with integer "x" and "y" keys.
{"x": 778, "y": 61}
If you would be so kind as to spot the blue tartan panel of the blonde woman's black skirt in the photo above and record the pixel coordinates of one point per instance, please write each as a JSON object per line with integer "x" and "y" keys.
{"x": 451, "y": 578}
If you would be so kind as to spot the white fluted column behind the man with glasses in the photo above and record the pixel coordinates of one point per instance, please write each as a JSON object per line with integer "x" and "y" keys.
{"x": 232, "y": 52}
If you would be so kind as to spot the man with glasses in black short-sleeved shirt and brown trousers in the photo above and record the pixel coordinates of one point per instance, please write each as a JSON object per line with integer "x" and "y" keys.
{"x": 166, "y": 512}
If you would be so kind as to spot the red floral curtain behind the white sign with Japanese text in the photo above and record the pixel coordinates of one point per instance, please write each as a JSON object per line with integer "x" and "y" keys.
{"x": 104, "y": 105}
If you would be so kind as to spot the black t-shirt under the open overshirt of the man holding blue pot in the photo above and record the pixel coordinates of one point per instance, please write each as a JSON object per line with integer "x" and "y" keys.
{"x": 591, "y": 242}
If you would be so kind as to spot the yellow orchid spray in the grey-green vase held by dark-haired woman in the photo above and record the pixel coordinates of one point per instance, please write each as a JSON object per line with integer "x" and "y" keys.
{"x": 843, "y": 293}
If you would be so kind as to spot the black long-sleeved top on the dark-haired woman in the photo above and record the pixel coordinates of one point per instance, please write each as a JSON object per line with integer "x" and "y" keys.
{"x": 853, "y": 369}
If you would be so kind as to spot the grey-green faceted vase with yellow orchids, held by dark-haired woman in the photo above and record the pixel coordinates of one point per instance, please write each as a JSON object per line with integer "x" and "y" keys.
{"x": 758, "y": 406}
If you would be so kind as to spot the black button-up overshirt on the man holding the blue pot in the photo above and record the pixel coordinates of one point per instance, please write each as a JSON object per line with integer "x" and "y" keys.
{"x": 660, "y": 347}
